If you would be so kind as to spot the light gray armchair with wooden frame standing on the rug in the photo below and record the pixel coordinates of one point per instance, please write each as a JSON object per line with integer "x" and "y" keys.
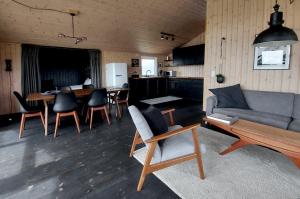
{"x": 180, "y": 144}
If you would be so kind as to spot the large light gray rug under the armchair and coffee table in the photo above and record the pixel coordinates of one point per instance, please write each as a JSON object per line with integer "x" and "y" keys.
{"x": 251, "y": 172}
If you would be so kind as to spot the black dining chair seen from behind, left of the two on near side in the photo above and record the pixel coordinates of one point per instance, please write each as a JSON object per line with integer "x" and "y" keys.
{"x": 65, "y": 105}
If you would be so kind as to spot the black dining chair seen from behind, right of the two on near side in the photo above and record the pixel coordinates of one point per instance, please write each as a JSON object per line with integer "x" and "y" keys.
{"x": 97, "y": 102}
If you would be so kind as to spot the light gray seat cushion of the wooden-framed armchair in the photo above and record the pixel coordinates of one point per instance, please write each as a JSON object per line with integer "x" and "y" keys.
{"x": 178, "y": 145}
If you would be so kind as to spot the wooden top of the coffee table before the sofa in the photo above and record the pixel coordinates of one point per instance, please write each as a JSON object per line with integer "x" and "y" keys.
{"x": 289, "y": 140}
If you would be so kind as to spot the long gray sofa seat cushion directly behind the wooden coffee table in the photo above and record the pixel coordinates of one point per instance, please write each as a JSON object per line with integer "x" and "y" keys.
{"x": 256, "y": 116}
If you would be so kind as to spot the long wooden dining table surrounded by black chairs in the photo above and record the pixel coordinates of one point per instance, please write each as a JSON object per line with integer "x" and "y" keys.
{"x": 79, "y": 93}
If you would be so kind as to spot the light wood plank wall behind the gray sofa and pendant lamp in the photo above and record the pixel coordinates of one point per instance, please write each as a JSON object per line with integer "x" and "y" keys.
{"x": 238, "y": 21}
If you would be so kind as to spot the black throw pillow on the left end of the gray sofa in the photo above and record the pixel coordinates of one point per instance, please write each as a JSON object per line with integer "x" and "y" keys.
{"x": 230, "y": 97}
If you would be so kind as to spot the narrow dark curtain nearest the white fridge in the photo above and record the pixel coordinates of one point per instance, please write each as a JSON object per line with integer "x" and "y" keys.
{"x": 95, "y": 65}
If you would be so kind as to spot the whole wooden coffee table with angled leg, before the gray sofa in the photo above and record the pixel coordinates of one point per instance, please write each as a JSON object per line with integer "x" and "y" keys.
{"x": 284, "y": 141}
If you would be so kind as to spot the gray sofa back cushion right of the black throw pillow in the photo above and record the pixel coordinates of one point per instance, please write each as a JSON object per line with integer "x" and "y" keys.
{"x": 270, "y": 102}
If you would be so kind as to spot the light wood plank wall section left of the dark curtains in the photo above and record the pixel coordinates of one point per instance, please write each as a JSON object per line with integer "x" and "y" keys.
{"x": 8, "y": 103}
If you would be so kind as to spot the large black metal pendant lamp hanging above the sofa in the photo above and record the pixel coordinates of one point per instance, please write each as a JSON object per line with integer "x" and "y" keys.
{"x": 276, "y": 34}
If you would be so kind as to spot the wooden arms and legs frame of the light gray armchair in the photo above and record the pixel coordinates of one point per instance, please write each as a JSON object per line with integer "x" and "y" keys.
{"x": 149, "y": 168}
